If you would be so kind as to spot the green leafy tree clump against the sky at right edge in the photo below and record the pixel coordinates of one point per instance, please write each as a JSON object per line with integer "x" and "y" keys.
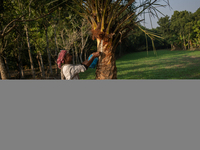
{"x": 181, "y": 30}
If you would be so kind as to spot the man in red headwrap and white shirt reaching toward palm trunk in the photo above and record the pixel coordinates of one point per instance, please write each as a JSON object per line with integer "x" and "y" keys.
{"x": 70, "y": 71}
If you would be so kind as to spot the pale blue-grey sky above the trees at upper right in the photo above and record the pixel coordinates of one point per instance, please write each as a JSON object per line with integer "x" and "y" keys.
{"x": 179, "y": 5}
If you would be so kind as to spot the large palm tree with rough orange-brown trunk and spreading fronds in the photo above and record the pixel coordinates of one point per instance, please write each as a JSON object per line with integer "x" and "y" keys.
{"x": 111, "y": 22}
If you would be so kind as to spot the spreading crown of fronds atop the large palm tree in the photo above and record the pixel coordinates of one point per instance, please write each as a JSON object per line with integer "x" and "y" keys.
{"x": 110, "y": 18}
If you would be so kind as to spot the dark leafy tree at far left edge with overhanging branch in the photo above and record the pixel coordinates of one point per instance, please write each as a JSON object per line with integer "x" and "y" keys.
{"x": 11, "y": 14}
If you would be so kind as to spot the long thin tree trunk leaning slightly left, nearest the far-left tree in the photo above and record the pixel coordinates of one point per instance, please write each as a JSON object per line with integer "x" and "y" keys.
{"x": 29, "y": 52}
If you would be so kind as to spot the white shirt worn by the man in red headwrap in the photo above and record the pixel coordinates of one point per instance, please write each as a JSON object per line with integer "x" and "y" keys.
{"x": 71, "y": 71}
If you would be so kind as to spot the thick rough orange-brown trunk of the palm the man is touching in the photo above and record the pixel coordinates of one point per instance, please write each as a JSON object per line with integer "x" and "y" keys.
{"x": 106, "y": 67}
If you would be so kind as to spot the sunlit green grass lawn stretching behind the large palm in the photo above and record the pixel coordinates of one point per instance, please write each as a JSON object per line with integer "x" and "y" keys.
{"x": 166, "y": 65}
